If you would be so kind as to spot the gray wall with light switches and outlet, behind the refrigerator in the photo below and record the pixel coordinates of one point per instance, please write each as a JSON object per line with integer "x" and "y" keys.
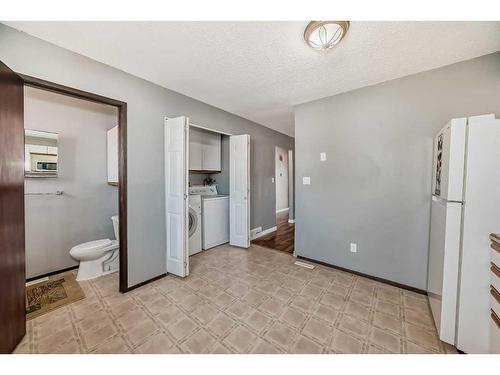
{"x": 374, "y": 188}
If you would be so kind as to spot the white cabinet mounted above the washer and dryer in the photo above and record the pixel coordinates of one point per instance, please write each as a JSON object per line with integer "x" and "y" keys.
{"x": 204, "y": 150}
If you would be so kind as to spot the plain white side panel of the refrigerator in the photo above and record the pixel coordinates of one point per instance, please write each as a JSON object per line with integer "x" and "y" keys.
{"x": 481, "y": 217}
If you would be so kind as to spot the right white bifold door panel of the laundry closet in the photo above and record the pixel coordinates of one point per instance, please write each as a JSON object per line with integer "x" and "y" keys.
{"x": 239, "y": 190}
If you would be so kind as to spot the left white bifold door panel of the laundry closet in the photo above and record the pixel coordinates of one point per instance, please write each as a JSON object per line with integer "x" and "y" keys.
{"x": 176, "y": 194}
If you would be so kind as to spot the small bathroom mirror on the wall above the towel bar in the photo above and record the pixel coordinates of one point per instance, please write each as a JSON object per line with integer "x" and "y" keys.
{"x": 40, "y": 153}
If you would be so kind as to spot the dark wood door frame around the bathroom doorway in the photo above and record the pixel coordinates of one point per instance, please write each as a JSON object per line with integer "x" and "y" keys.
{"x": 122, "y": 158}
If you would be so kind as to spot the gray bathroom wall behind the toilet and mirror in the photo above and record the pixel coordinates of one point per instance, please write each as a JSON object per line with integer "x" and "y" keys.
{"x": 54, "y": 224}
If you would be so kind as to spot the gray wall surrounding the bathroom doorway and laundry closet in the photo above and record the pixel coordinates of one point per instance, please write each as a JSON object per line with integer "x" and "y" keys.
{"x": 147, "y": 106}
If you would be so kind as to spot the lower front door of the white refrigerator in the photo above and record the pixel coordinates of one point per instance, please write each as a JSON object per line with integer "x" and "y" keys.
{"x": 444, "y": 251}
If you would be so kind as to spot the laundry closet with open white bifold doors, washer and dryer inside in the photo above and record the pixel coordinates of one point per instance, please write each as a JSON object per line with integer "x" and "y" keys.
{"x": 207, "y": 191}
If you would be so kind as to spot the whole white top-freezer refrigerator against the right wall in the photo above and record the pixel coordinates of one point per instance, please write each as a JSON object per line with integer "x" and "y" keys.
{"x": 465, "y": 209}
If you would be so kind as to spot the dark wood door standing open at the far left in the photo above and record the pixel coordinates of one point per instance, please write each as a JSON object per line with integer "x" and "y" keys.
{"x": 12, "y": 258}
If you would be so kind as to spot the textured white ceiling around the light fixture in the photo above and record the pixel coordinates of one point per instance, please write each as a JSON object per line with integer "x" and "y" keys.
{"x": 260, "y": 70}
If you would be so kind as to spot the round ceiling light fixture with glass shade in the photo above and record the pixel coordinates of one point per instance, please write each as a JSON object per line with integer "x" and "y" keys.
{"x": 324, "y": 35}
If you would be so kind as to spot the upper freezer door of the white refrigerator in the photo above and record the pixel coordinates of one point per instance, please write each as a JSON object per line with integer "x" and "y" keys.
{"x": 449, "y": 159}
